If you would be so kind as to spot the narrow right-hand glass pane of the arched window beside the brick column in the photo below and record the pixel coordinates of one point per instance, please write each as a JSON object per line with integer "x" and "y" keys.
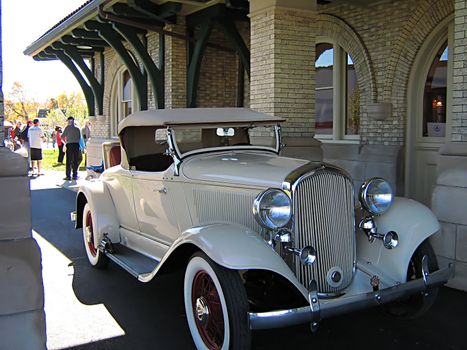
{"x": 352, "y": 117}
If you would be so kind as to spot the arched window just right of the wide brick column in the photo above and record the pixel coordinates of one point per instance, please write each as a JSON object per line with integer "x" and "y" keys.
{"x": 337, "y": 97}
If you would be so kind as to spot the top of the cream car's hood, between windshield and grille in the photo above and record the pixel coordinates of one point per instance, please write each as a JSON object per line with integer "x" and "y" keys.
{"x": 249, "y": 168}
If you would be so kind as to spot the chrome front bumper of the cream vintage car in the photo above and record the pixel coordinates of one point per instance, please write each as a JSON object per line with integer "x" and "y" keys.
{"x": 325, "y": 308}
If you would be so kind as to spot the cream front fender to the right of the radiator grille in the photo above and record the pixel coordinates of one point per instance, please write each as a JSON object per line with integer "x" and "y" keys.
{"x": 413, "y": 222}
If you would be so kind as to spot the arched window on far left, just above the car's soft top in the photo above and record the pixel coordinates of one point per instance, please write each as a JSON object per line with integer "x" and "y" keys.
{"x": 123, "y": 98}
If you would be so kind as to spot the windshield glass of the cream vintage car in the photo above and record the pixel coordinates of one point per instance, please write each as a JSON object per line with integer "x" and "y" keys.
{"x": 192, "y": 139}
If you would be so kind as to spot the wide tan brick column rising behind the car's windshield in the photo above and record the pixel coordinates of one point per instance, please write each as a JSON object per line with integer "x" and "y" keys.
{"x": 282, "y": 69}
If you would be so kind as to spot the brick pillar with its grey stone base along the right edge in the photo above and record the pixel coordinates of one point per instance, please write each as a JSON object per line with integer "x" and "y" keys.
{"x": 450, "y": 193}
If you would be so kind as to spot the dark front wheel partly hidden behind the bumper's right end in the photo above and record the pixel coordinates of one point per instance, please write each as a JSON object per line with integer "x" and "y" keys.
{"x": 417, "y": 304}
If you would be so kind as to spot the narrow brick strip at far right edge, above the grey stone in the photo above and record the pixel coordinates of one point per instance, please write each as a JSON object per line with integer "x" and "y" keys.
{"x": 459, "y": 91}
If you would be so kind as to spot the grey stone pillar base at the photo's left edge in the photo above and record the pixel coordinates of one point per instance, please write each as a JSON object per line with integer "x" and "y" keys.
{"x": 22, "y": 318}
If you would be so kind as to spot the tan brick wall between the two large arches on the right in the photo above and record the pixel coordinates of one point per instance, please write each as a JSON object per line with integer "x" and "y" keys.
{"x": 392, "y": 32}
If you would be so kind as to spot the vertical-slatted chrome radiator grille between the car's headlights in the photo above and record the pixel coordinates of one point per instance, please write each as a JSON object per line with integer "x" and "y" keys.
{"x": 323, "y": 204}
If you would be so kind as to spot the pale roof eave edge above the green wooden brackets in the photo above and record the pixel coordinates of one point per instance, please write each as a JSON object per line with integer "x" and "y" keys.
{"x": 86, "y": 13}
